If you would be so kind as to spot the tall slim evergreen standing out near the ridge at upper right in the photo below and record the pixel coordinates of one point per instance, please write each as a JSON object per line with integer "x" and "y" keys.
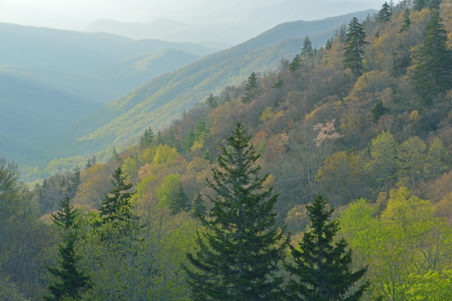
{"x": 353, "y": 49}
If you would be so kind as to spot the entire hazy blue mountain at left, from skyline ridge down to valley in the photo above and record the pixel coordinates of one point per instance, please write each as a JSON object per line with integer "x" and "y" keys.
{"x": 52, "y": 78}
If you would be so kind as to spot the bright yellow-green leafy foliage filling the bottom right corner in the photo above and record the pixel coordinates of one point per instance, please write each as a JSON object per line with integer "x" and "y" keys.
{"x": 404, "y": 246}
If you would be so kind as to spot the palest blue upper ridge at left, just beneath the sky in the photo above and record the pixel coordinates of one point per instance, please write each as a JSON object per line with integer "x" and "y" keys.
{"x": 74, "y": 52}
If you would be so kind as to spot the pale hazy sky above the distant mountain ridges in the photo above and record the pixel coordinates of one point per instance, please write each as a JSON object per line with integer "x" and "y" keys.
{"x": 78, "y": 14}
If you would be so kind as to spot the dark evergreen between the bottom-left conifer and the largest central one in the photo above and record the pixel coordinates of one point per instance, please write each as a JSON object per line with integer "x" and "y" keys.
{"x": 117, "y": 204}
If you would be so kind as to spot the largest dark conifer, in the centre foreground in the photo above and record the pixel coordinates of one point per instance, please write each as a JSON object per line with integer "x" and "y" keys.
{"x": 240, "y": 249}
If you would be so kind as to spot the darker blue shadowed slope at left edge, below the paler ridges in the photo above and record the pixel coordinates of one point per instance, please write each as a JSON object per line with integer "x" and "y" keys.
{"x": 32, "y": 114}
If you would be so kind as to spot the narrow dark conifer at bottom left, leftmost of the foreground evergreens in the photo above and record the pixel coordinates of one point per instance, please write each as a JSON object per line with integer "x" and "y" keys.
{"x": 71, "y": 282}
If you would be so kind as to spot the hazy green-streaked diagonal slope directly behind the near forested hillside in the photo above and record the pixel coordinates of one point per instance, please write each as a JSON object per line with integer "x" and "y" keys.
{"x": 166, "y": 97}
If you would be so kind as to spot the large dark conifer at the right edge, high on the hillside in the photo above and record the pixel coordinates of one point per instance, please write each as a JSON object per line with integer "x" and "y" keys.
{"x": 433, "y": 72}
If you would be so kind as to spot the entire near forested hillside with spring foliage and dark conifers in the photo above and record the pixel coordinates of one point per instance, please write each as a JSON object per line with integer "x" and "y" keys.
{"x": 328, "y": 179}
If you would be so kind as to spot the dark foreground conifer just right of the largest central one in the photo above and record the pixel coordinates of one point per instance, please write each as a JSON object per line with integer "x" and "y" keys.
{"x": 321, "y": 269}
